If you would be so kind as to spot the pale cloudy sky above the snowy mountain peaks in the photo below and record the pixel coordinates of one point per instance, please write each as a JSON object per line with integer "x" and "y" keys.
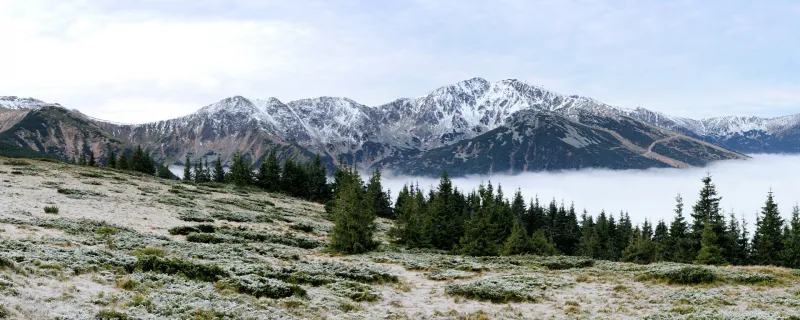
{"x": 137, "y": 61}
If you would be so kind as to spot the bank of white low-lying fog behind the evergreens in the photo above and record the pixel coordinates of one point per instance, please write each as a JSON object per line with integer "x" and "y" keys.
{"x": 651, "y": 193}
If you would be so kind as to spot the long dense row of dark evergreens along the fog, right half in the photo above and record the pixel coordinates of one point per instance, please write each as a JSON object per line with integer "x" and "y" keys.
{"x": 484, "y": 222}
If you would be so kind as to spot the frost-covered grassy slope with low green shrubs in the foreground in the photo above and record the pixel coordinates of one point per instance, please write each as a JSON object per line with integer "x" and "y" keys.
{"x": 123, "y": 245}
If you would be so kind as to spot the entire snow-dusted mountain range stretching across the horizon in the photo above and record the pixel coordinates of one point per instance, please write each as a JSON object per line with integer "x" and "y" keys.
{"x": 470, "y": 127}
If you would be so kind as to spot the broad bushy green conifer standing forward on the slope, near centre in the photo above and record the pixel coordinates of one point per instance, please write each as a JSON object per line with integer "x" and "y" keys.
{"x": 354, "y": 221}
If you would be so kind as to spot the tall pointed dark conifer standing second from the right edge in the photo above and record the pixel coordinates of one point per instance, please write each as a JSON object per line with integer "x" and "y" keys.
{"x": 768, "y": 239}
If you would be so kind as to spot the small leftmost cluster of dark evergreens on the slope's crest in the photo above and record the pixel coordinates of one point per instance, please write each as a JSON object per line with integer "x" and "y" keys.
{"x": 139, "y": 160}
